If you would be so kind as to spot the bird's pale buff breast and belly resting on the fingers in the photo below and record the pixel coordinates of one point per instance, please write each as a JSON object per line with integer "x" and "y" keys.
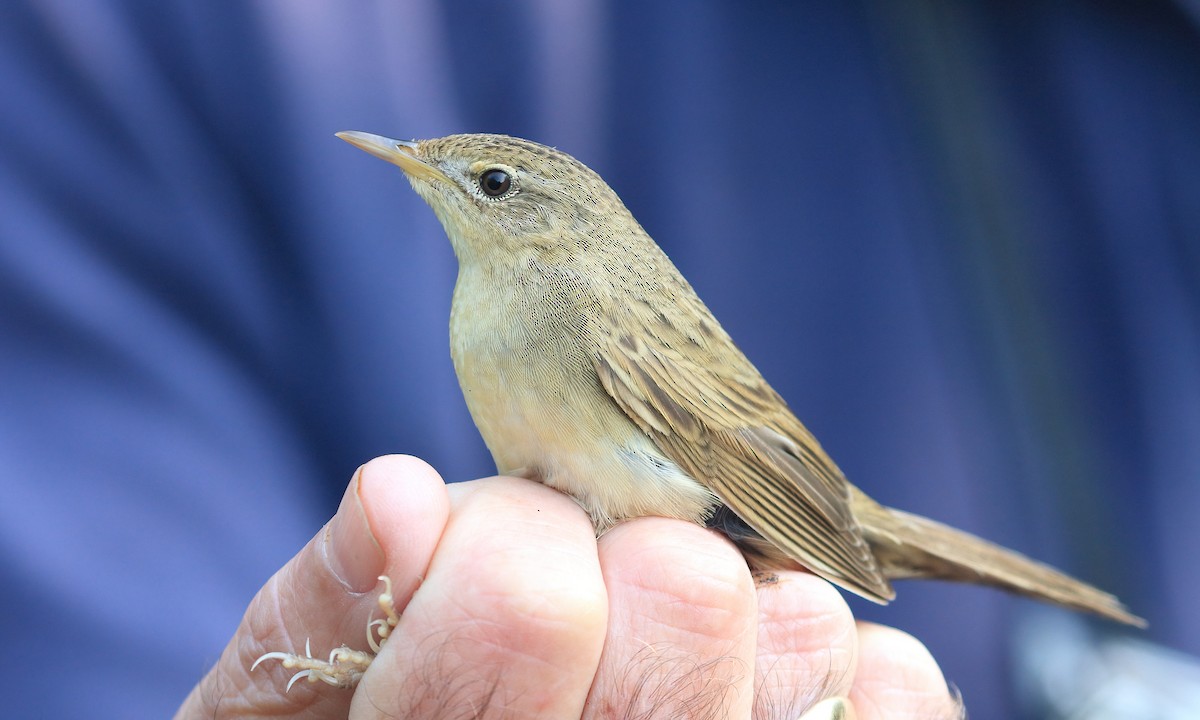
{"x": 542, "y": 411}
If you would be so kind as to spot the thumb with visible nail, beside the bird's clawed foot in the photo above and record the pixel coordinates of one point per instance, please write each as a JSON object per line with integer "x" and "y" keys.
{"x": 395, "y": 506}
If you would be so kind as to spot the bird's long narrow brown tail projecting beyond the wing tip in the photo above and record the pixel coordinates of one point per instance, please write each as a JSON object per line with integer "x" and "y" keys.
{"x": 911, "y": 547}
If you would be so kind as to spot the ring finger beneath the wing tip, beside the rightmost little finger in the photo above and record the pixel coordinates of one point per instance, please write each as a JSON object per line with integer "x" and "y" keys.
{"x": 808, "y": 645}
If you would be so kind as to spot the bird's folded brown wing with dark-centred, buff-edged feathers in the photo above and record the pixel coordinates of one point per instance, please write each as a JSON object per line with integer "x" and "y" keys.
{"x": 727, "y": 428}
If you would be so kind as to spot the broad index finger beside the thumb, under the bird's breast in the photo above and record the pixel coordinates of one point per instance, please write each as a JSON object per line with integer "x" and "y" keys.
{"x": 511, "y": 619}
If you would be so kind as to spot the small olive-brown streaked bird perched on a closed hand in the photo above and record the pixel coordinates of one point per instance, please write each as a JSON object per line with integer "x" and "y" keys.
{"x": 590, "y": 364}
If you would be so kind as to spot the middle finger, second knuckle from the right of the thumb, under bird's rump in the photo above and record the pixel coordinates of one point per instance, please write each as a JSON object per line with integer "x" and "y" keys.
{"x": 682, "y": 625}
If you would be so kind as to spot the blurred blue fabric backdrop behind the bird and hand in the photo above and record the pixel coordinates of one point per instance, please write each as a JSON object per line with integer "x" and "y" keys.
{"x": 963, "y": 241}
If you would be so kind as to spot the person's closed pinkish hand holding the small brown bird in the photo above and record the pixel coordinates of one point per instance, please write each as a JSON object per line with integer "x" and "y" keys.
{"x": 511, "y": 608}
